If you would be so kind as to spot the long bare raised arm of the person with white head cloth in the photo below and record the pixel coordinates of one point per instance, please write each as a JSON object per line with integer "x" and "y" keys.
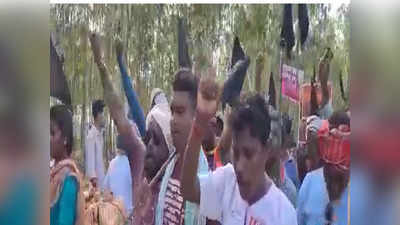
{"x": 130, "y": 136}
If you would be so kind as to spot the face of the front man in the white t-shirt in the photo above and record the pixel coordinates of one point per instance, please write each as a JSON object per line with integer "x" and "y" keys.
{"x": 249, "y": 159}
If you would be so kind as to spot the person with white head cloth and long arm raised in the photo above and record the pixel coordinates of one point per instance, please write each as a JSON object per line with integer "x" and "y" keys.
{"x": 145, "y": 160}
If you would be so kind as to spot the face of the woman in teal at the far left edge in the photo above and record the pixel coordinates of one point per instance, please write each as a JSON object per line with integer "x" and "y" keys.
{"x": 57, "y": 140}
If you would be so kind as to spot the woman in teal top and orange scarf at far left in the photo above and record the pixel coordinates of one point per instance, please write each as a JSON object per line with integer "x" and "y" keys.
{"x": 64, "y": 176}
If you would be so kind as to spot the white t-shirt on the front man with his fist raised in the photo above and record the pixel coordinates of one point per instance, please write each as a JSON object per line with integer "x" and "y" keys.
{"x": 220, "y": 200}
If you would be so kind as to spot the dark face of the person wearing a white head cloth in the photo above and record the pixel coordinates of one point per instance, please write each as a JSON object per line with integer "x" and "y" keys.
{"x": 157, "y": 149}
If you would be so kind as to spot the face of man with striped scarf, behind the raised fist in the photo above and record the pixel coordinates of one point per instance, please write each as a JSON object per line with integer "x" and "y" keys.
{"x": 182, "y": 112}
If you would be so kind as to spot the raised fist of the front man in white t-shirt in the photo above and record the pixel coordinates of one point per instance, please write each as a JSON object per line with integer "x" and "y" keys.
{"x": 207, "y": 97}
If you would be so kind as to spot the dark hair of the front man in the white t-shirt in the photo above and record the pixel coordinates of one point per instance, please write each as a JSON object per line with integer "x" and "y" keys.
{"x": 254, "y": 115}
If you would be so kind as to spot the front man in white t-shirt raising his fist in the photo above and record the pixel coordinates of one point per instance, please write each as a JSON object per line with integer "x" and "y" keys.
{"x": 238, "y": 193}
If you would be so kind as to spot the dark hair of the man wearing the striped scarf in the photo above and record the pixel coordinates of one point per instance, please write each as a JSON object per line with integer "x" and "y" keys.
{"x": 187, "y": 82}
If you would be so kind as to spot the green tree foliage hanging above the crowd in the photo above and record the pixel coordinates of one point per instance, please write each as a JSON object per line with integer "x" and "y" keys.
{"x": 149, "y": 34}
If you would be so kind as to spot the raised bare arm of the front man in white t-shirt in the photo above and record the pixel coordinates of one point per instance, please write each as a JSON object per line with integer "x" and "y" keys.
{"x": 207, "y": 102}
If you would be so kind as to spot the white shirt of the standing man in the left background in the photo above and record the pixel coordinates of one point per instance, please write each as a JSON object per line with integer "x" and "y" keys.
{"x": 94, "y": 154}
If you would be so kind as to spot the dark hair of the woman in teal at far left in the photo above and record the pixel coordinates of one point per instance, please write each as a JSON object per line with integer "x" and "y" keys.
{"x": 61, "y": 115}
